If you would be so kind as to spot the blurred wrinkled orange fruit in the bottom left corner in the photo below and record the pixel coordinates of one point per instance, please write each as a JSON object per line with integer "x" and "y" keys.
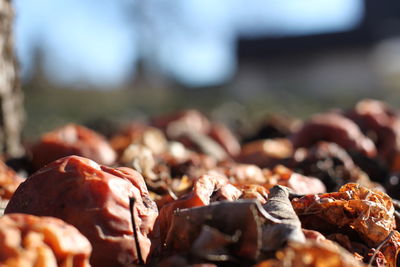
{"x": 27, "y": 240}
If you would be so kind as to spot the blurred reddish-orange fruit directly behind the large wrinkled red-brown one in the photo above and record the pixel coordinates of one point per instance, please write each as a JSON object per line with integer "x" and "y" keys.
{"x": 72, "y": 139}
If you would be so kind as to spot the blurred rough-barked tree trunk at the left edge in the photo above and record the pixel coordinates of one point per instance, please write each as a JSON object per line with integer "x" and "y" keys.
{"x": 11, "y": 97}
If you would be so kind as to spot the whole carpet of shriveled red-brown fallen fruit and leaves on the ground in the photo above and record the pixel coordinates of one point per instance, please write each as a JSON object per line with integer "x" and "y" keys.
{"x": 182, "y": 191}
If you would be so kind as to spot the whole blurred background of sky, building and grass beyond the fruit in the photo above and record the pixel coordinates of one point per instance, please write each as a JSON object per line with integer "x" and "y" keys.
{"x": 94, "y": 60}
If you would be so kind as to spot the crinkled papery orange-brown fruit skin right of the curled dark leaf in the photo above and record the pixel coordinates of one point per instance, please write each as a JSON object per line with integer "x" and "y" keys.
{"x": 369, "y": 213}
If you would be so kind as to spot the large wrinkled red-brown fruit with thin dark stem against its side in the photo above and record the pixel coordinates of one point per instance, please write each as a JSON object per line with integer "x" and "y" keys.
{"x": 95, "y": 199}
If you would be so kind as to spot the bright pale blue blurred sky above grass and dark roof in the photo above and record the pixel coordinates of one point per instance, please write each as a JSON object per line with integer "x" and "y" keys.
{"x": 98, "y": 42}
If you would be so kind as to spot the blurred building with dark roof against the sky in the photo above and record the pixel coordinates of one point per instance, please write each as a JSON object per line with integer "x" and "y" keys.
{"x": 359, "y": 60}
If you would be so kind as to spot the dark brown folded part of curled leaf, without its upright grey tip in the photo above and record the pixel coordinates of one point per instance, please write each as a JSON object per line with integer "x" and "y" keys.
{"x": 239, "y": 221}
